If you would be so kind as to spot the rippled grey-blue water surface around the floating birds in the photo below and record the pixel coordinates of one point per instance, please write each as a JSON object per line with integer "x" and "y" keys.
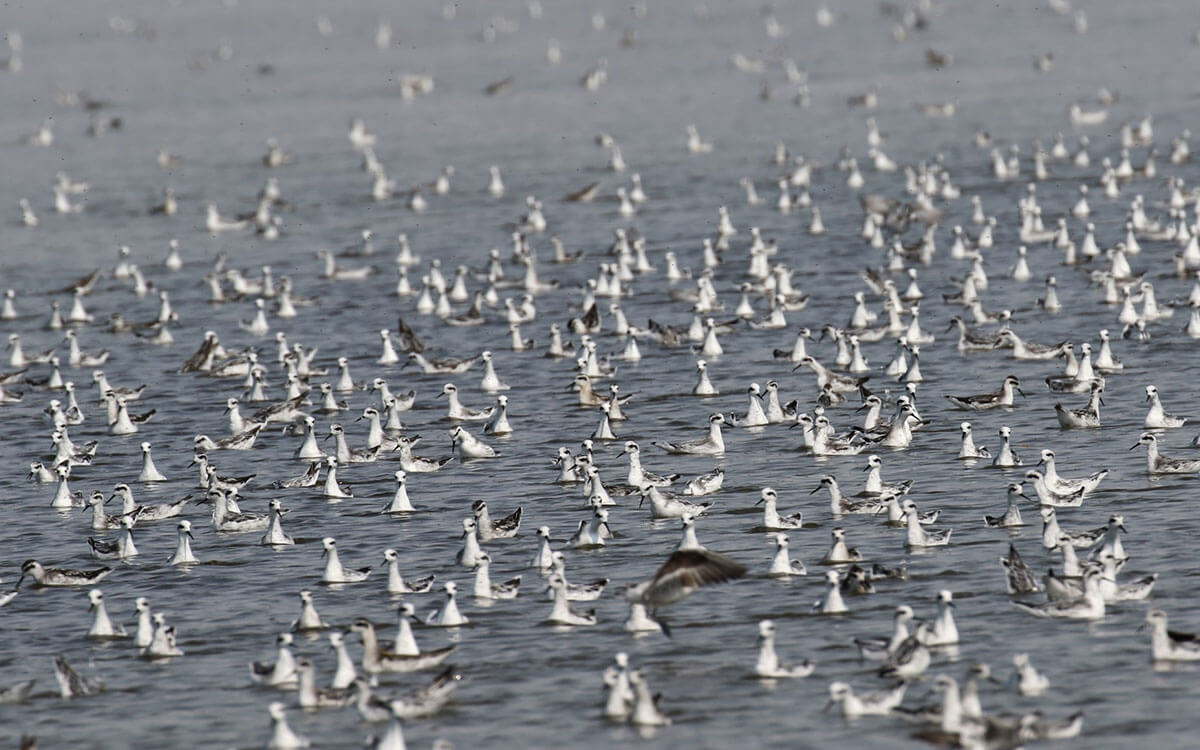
{"x": 527, "y": 685}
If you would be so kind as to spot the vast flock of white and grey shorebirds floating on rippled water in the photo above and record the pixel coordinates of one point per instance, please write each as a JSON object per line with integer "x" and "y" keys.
{"x": 854, "y": 385}
